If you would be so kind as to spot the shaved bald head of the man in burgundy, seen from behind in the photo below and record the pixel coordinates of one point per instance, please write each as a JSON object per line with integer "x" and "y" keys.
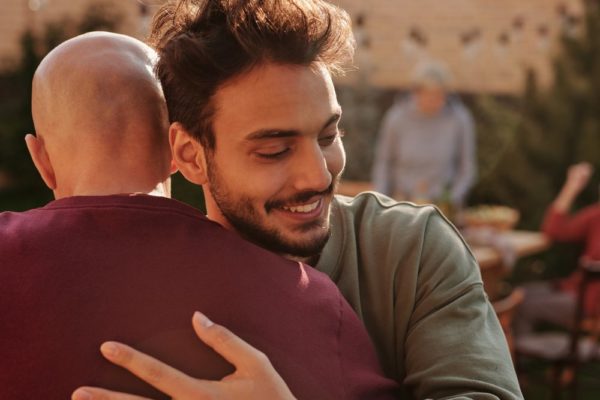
{"x": 100, "y": 117}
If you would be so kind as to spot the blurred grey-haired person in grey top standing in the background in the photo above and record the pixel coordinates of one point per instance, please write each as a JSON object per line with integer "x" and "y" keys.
{"x": 426, "y": 144}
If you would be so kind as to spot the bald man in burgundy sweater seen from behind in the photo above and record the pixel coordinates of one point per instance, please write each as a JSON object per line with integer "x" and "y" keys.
{"x": 107, "y": 261}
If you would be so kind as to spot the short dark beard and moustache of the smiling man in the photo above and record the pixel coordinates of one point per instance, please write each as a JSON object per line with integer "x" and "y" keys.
{"x": 248, "y": 223}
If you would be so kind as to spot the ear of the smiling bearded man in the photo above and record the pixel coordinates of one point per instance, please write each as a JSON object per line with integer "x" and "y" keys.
{"x": 188, "y": 154}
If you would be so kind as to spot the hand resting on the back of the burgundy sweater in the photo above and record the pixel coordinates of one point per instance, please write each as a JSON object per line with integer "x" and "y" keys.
{"x": 254, "y": 378}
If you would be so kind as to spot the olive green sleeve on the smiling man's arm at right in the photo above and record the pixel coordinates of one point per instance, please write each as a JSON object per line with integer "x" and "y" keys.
{"x": 455, "y": 348}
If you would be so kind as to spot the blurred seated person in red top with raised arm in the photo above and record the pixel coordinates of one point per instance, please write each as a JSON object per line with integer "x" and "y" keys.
{"x": 554, "y": 302}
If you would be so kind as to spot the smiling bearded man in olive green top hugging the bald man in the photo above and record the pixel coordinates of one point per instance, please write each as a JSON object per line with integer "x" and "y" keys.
{"x": 254, "y": 120}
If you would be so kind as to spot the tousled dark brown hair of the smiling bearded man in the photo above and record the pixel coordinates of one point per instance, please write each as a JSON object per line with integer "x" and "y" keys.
{"x": 203, "y": 44}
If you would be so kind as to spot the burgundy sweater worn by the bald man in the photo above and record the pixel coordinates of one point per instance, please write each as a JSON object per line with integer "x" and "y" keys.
{"x": 83, "y": 270}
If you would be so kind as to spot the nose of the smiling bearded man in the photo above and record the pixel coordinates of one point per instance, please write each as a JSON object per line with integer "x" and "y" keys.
{"x": 311, "y": 172}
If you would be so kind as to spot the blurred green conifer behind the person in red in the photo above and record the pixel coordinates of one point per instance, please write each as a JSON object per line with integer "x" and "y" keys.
{"x": 553, "y": 128}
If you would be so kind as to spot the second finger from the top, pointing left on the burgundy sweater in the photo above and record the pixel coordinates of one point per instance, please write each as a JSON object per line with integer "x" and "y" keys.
{"x": 156, "y": 373}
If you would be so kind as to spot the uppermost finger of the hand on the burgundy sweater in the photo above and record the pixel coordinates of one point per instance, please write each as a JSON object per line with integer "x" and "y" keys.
{"x": 235, "y": 350}
